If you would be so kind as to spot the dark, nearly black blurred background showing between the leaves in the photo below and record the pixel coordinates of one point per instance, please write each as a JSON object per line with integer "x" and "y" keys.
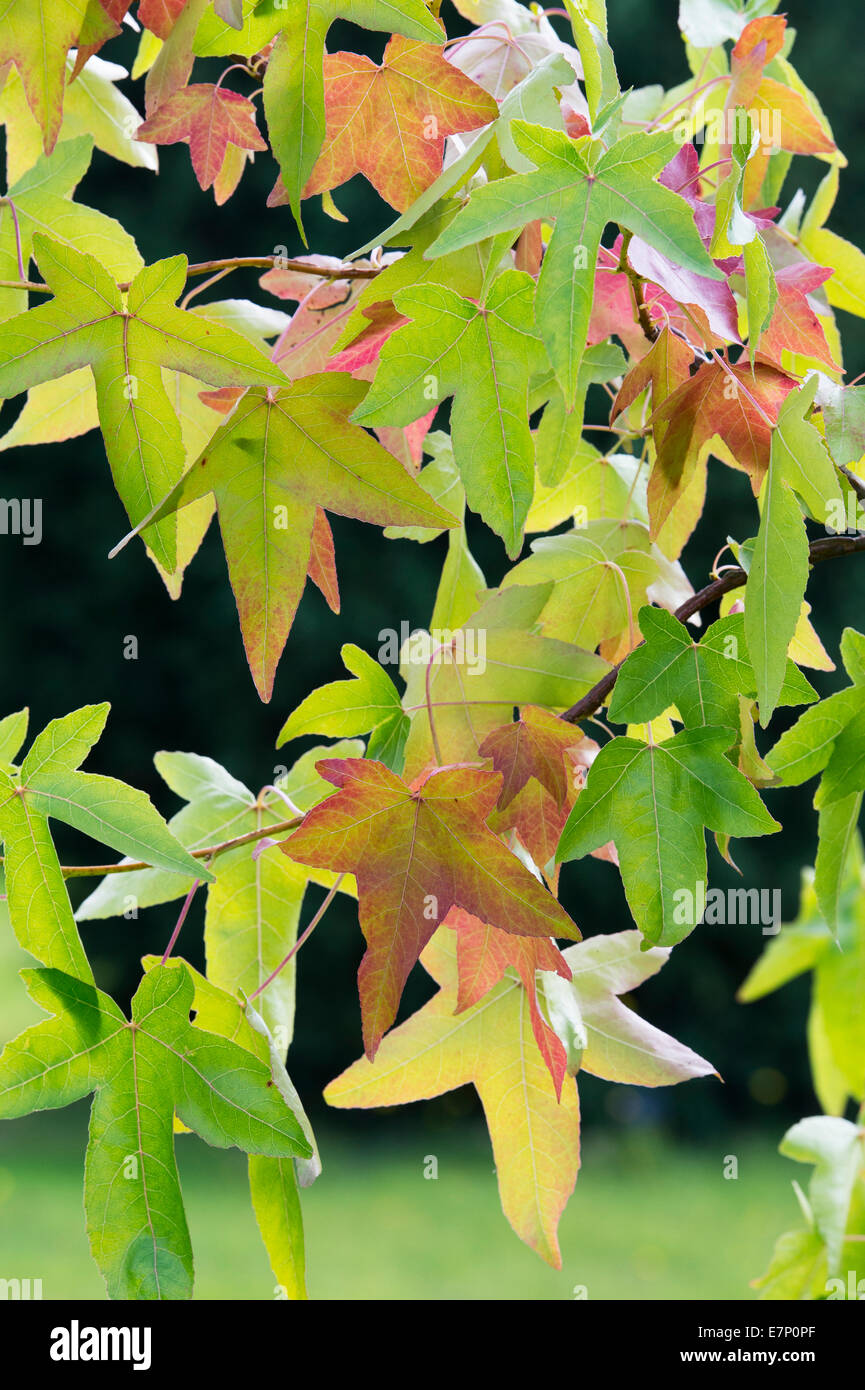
{"x": 67, "y": 612}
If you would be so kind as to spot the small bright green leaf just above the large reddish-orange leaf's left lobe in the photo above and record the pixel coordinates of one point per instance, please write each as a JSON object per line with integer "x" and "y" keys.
{"x": 366, "y": 705}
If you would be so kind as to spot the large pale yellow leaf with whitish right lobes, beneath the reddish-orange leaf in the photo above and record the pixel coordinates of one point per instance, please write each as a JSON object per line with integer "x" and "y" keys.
{"x": 536, "y": 1139}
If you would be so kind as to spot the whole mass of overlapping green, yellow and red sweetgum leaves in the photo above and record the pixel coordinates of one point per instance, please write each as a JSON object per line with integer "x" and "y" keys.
{"x": 560, "y": 244}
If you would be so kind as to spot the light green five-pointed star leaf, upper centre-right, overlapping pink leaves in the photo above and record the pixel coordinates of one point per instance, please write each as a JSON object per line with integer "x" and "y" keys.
{"x": 620, "y": 186}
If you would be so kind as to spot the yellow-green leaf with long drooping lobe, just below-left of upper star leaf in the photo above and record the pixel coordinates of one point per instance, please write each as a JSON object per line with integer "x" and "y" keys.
{"x": 482, "y": 355}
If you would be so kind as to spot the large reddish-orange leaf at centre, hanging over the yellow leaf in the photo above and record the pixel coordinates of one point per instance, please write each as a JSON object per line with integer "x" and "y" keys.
{"x": 418, "y": 851}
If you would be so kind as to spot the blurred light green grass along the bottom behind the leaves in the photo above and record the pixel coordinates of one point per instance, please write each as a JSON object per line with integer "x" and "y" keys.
{"x": 650, "y": 1221}
